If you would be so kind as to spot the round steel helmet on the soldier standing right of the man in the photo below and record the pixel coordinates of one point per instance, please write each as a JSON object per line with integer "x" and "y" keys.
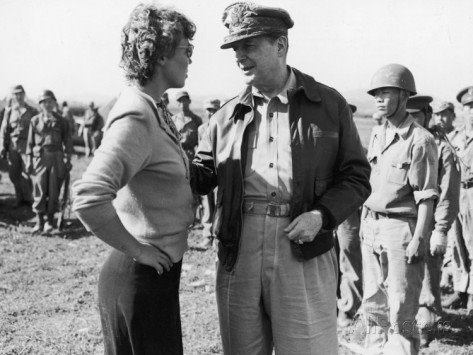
{"x": 393, "y": 76}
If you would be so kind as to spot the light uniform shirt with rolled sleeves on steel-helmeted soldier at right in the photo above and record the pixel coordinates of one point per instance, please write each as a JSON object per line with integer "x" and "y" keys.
{"x": 404, "y": 168}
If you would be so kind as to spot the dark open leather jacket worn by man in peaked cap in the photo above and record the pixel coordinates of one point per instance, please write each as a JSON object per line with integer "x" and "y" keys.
{"x": 330, "y": 170}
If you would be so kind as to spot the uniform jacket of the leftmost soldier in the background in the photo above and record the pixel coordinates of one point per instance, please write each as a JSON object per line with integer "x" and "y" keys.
{"x": 15, "y": 125}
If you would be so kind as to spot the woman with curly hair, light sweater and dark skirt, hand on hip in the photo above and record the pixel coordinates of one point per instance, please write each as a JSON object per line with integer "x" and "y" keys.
{"x": 142, "y": 168}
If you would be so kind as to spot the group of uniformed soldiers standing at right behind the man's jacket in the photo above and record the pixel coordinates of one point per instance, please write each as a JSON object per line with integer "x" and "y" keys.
{"x": 390, "y": 274}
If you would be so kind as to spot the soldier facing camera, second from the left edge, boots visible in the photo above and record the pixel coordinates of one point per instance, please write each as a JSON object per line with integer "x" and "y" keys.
{"x": 49, "y": 150}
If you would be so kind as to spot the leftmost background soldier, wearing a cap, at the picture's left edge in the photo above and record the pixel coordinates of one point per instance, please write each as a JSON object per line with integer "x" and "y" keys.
{"x": 14, "y": 133}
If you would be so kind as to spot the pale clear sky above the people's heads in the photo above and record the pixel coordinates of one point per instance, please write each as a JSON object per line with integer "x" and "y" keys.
{"x": 73, "y": 46}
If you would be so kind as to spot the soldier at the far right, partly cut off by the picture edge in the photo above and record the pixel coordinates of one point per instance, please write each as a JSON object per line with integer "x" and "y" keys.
{"x": 462, "y": 229}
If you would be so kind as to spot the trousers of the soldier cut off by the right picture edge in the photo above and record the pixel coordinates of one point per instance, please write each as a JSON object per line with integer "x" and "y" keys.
{"x": 462, "y": 256}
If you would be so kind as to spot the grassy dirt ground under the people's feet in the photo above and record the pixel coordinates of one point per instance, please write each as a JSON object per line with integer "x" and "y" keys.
{"x": 48, "y": 291}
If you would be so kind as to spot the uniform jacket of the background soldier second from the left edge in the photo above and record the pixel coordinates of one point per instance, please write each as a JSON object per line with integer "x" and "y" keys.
{"x": 49, "y": 133}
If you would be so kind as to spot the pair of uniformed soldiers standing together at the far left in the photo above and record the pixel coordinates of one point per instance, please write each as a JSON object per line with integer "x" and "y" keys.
{"x": 38, "y": 147}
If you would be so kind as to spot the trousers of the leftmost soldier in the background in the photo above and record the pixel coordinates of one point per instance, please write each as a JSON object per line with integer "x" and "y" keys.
{"x": 19, "y": 176}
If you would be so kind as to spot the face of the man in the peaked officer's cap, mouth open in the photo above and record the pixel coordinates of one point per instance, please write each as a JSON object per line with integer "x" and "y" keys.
{"x": 258, "y": 60}
